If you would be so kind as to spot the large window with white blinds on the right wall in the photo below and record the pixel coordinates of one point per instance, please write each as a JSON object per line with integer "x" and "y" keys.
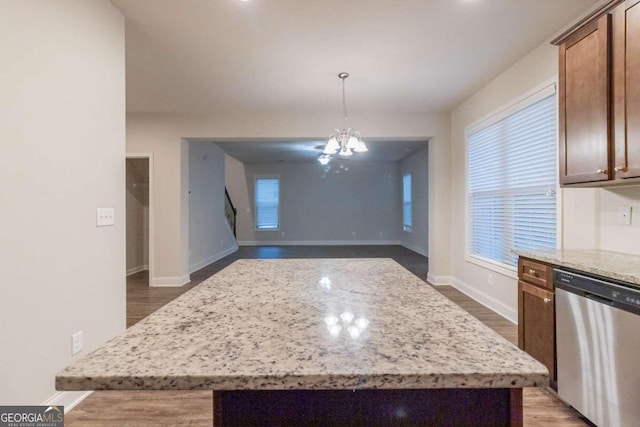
{"x": 512, "y": 181}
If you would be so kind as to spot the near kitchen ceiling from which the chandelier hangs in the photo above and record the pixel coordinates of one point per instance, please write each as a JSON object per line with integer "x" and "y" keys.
{"x": 205, "y": 56}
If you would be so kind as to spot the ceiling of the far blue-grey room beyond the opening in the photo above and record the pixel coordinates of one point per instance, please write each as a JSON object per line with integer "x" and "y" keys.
{"x": 266, "y": 151}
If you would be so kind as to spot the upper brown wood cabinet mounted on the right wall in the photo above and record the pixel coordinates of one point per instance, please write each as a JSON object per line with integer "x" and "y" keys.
{"x": 599, "y": 97}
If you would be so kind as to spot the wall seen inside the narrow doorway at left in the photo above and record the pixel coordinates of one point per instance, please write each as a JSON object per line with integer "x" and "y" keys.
{"x": 137, "y": 211}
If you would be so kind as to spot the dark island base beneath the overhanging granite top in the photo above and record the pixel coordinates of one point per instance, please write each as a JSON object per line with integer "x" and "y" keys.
{"x": 425, "y": 407}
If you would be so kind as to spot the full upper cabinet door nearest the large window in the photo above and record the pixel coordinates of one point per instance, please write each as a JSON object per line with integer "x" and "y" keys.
{"x": 585, "y": 148}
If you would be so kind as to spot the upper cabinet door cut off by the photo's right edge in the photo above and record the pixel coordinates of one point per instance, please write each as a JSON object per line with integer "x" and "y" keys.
{"x": 626, "y": 88}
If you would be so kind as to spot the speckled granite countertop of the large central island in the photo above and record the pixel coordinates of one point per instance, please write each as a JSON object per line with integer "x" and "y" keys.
{"x": 307, "y": 324}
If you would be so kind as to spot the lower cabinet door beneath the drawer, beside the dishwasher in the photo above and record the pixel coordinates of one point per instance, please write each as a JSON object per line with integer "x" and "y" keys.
{"x": 536, "y": 325}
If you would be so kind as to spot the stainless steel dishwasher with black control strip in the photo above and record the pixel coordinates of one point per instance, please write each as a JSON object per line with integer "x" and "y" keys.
{"x": 598, "y": 347}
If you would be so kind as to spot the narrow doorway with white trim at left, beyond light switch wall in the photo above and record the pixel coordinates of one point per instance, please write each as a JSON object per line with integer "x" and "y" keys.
{"x": 138, "y": 218}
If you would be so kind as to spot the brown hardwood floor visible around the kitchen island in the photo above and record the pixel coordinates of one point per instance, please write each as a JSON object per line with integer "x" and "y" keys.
{"x": 194, "y": 408}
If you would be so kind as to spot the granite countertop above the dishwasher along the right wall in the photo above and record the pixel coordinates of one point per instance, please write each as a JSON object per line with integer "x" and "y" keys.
{"x": 614, "y": 265}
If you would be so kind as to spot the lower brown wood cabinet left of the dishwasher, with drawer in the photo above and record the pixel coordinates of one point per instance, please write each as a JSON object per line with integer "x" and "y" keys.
{"x": 536, "y": 313}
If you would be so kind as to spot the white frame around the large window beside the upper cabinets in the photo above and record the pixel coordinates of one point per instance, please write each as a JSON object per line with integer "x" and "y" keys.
{"x": 528, "y": 98}
